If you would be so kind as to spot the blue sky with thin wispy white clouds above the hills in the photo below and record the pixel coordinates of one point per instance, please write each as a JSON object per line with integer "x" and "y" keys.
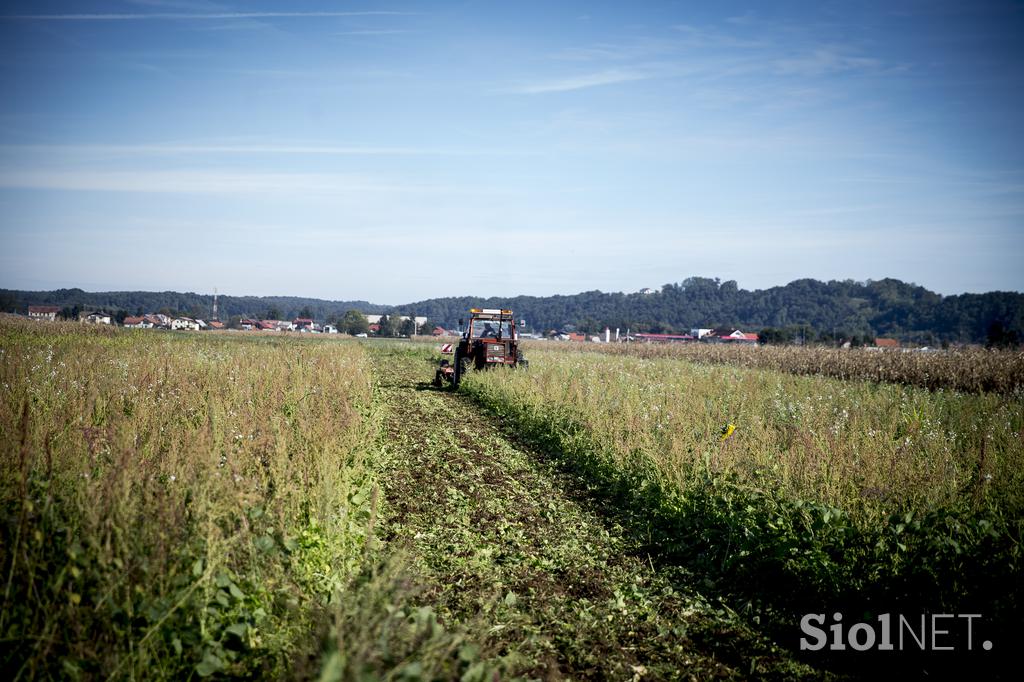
{"x": 396, "y": 152}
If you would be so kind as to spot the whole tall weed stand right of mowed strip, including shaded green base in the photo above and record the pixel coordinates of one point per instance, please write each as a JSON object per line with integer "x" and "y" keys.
{"x": 821, "y": 493}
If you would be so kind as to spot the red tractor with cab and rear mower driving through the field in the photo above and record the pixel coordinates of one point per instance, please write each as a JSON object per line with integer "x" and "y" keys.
{"x": 489, "y": 340}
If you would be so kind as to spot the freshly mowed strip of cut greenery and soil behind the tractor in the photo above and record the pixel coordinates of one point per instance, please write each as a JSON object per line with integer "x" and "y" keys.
{"x": 516, "y": 553}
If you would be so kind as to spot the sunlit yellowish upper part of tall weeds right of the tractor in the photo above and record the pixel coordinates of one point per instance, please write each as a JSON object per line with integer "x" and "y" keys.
{"x": 850, "y": 444}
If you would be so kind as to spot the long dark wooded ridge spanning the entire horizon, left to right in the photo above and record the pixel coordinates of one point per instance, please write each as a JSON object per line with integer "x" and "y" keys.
{"x": 885, "y": 308}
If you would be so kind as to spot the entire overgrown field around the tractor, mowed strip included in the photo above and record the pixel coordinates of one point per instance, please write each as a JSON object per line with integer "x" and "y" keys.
{"x": 254, "y": 506}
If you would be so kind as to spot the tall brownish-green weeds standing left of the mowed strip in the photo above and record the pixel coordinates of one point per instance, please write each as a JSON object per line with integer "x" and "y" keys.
{"x": 174, "y": 504}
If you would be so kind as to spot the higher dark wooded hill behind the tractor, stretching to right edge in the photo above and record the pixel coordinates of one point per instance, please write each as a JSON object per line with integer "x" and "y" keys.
{"x": 886, "y": 308}
